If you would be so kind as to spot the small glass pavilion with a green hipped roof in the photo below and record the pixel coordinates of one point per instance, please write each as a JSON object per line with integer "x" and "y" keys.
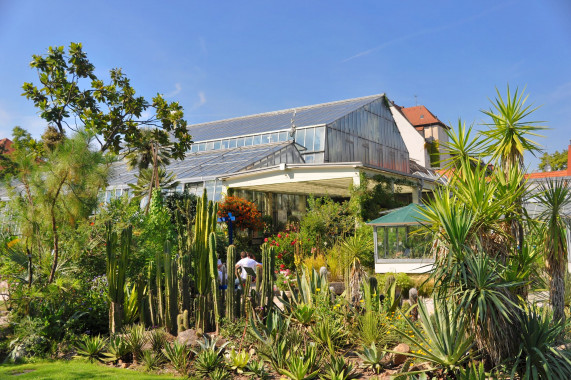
{"x": 399, "y": 244}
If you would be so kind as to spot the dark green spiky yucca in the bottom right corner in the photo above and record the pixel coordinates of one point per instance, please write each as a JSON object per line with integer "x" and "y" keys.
{"x": 539, "y": 357}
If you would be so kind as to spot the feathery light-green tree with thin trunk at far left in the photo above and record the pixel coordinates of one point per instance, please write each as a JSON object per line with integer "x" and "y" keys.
{"x": 53, "y": 194}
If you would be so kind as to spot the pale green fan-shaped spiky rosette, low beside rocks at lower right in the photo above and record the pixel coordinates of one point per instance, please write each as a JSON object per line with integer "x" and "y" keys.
{"x": 443, "y": 339}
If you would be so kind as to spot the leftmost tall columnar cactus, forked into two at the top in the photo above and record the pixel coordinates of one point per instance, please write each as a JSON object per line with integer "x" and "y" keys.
{"x": 116, "y": 266}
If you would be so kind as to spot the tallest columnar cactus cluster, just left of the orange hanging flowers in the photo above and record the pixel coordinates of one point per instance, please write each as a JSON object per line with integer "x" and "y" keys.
{"x": 205, "y": 223}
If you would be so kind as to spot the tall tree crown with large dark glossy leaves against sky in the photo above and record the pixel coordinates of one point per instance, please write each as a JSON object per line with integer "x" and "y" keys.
{"x": 71, "y": 96}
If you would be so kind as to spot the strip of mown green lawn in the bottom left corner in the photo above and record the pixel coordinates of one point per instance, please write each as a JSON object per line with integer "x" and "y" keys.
{"x": 73, "y": 369}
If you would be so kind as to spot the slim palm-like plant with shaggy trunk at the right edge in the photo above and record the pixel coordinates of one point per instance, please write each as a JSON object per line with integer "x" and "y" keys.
{"x": 555, "y": 199}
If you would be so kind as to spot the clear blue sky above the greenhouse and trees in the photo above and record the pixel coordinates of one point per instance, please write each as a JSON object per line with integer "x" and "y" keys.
{"x": 228, "y": 58}
